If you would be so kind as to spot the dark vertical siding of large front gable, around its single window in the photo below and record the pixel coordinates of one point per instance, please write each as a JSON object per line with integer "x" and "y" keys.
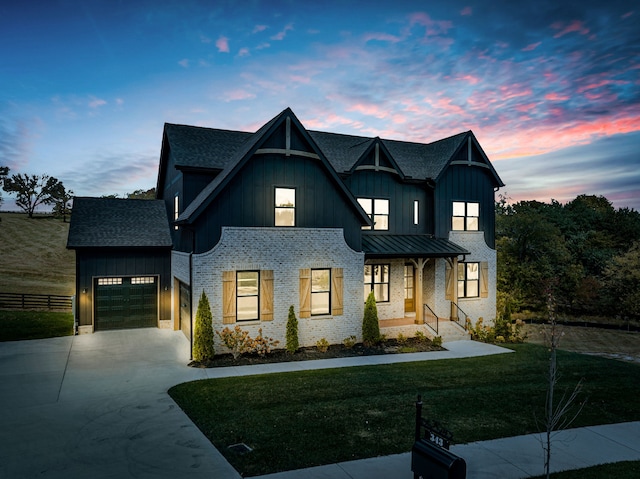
{"x": 248, "y": 200}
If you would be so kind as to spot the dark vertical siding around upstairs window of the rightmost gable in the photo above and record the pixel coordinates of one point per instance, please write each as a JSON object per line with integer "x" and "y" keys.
{"x": 466, "y": 183}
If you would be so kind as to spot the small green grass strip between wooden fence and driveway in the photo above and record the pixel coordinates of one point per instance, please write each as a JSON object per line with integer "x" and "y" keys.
{"x": 18, "y": 325}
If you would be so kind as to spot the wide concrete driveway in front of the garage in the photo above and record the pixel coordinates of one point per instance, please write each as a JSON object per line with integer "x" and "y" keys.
{"x": 96, "y": 406}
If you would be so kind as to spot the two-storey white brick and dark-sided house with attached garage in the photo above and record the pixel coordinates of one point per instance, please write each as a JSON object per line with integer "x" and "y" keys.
{"x": 289, "y": 216}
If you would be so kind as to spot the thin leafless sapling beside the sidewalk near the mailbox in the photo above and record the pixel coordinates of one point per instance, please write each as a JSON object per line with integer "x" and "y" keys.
{"x": 559, "y": 414}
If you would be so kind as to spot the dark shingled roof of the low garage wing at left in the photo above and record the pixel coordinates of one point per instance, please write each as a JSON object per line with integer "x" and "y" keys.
{"x": 113, "y": 222}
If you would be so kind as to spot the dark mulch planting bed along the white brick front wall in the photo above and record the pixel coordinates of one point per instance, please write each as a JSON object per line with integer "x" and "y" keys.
{"x": 389, "y": 346}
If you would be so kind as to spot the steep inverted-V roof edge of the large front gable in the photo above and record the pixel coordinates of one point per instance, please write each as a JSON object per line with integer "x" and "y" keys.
{"x": 242, "y": 155}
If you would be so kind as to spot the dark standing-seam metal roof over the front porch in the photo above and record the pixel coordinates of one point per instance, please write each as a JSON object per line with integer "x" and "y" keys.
{"x": 397, "y": 246}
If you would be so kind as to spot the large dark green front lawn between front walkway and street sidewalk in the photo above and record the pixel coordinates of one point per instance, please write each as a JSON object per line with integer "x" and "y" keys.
{"x": 302, "y": 419}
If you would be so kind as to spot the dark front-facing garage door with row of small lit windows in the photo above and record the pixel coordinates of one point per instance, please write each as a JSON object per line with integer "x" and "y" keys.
{"x": 126, "y": 302}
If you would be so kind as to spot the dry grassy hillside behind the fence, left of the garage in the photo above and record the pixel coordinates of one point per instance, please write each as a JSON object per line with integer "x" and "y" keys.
{"x": 33, "y": 257}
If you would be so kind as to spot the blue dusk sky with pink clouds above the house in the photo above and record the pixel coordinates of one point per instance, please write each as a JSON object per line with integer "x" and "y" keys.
{"x": 550, "y": 88}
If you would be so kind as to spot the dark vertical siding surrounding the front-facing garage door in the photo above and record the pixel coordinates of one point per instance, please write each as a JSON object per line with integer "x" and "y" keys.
{"x": 100, "y": 263}
